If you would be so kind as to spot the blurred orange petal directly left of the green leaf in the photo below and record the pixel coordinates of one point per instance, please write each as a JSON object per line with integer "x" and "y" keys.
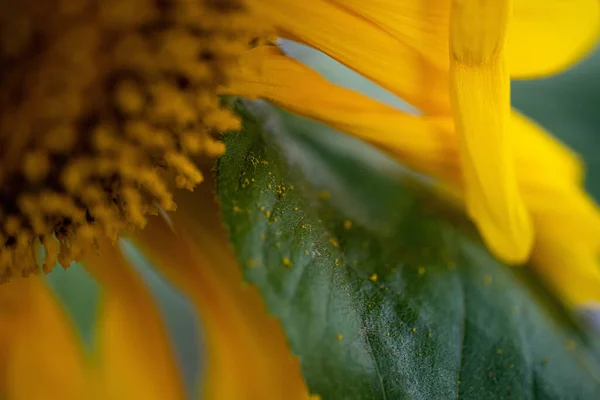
{"x": 248, "y": 357}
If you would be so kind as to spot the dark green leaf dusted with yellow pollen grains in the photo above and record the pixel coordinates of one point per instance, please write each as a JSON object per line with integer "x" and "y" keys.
{"x": 382, "y": 290}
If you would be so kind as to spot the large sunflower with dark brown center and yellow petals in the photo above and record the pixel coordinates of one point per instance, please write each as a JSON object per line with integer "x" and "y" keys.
{"x": 104, "y": 105}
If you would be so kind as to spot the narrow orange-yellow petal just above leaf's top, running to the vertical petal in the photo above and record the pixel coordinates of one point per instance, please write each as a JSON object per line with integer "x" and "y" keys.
{"x": 270, "y": 75}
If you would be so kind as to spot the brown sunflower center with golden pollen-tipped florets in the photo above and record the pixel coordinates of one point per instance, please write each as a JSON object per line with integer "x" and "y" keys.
{"x": 102, "y": 104}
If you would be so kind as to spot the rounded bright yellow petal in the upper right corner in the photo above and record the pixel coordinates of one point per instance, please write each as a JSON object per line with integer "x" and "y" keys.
{"x": 547, "y": 36}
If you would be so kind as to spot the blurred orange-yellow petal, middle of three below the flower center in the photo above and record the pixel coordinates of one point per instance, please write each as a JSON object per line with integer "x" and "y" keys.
{"x": 135, "y": 358}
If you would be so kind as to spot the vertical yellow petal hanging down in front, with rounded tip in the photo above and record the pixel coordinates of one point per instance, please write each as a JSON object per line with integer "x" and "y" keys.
{"x": 479, "y": 87}
